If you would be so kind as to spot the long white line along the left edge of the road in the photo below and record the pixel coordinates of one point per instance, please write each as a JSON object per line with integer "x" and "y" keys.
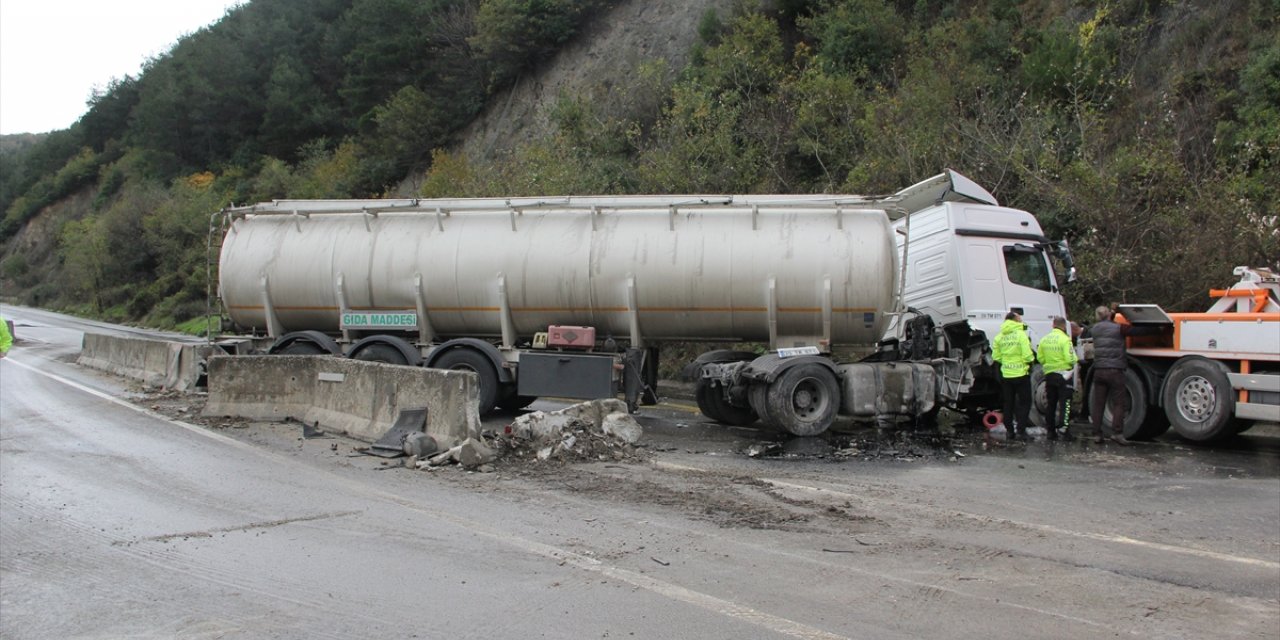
{"x": 723, "y": 607}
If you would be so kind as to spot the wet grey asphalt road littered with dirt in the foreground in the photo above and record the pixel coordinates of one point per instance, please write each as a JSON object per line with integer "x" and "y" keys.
{"x": 120, "y": 523}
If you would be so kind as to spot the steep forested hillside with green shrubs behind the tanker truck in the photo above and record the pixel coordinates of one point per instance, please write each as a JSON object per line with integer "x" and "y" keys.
{"x": 1146, "y": 132}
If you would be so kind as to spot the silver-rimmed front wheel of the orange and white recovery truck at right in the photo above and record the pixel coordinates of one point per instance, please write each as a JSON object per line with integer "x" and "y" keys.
{"x": 1199, "y": 400}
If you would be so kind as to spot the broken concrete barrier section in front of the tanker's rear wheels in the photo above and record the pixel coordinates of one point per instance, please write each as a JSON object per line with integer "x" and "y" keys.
{"x": 354, "y": 397}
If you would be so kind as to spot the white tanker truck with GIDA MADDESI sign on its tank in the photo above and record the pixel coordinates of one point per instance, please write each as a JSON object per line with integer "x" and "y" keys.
{"x": 573, "y": 296}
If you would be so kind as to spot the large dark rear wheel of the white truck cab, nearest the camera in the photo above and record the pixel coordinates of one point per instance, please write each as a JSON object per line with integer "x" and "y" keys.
{"x": 804, "y": 400}
